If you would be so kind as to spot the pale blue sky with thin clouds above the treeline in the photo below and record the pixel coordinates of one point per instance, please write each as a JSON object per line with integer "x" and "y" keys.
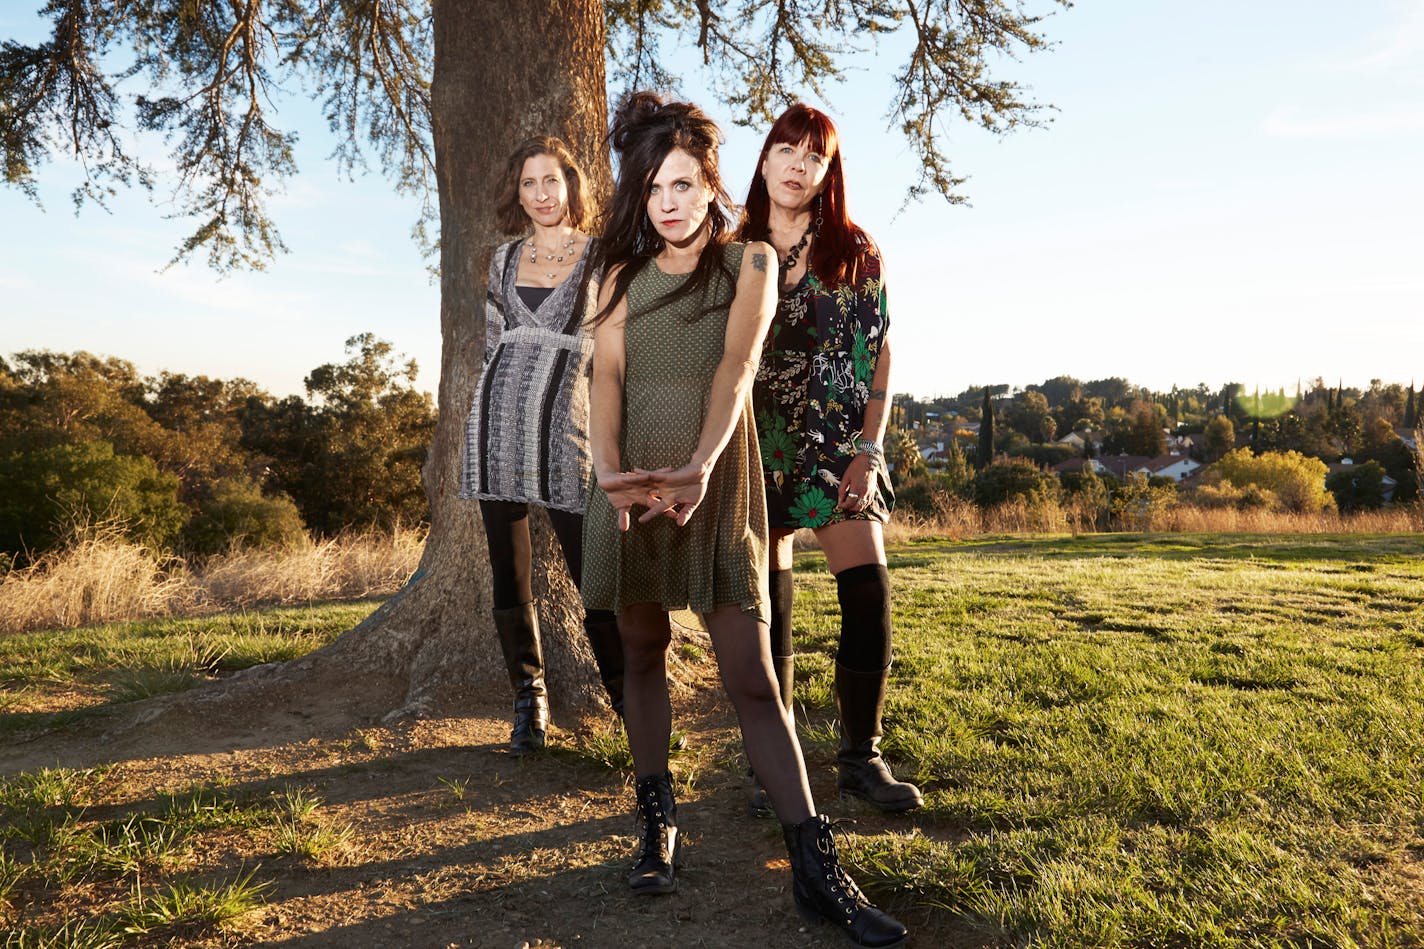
{"x": 1228, "y": 193}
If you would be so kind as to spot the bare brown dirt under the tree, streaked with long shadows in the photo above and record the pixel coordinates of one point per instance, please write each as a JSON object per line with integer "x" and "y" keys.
{"x": 458, "y": 844}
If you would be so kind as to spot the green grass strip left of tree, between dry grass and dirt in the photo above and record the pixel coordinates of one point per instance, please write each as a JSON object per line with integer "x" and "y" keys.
{"x": 85, "y": 670}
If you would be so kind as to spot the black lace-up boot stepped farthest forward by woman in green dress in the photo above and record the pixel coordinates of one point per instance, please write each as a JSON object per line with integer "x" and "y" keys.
{"x": 825, "y": 891}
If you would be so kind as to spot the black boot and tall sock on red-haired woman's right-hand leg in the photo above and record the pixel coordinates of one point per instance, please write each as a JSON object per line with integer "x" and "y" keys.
{"x": 862, "y": 673}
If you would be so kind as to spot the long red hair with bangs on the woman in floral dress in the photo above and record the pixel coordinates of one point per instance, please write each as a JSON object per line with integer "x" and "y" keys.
{"x": 839, "y": 246}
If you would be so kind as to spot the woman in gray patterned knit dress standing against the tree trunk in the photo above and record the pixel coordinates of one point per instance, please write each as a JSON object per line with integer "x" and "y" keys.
{"x": 528, "y": 432}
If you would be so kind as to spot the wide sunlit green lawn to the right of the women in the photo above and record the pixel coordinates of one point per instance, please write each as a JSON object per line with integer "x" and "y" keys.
{"x": 1153, "y": 740}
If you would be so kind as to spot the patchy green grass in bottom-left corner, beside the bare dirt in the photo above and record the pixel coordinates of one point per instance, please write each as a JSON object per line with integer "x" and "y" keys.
{"x": 52, "y": 847}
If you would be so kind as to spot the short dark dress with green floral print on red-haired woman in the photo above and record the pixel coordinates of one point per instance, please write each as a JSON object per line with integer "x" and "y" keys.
{"x": 811, "y": 397}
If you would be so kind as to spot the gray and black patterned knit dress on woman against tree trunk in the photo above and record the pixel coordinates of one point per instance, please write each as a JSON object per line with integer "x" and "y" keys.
{"x": 528, "y": 431}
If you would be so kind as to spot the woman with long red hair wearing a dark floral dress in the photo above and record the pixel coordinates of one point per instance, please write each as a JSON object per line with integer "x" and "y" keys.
{"x": 821, "y": 400}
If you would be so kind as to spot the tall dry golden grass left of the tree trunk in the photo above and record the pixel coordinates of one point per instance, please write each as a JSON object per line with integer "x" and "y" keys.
{"x": 103, "y": 578}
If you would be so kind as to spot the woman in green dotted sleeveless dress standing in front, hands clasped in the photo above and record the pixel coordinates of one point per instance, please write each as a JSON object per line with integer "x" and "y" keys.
{"x": 679, "y": 521}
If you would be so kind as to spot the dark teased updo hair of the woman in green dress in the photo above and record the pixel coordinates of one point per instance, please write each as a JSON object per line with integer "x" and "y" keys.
{"x": 644, "y": 132}
